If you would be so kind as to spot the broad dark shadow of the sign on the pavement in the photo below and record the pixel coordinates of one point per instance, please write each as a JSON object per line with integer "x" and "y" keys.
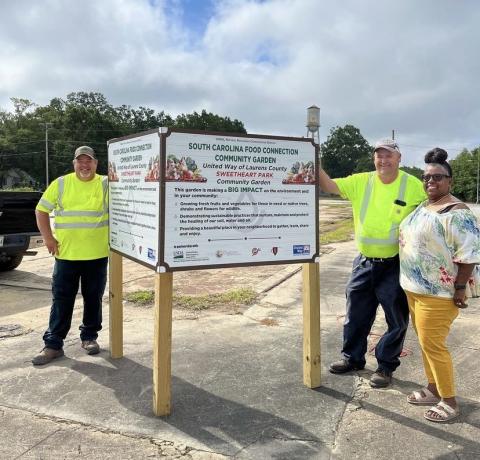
{"x": 219, "y": 423}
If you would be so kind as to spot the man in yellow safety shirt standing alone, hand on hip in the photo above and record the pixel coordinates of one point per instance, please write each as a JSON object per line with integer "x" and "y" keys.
{"x": 79, "y": 201}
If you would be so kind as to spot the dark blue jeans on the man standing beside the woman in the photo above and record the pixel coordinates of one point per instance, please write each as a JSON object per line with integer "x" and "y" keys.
{"x": 371, "y": 284}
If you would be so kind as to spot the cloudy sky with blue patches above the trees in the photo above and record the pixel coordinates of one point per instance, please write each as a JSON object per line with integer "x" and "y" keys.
{"x": 410, "y": 66}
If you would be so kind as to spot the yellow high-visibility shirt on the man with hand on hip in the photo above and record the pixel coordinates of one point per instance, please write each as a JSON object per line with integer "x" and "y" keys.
{"x": 81, "y": 216}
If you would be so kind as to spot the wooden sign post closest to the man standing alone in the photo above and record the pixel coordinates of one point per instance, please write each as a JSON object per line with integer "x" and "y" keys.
{"x": 116, "y": 305}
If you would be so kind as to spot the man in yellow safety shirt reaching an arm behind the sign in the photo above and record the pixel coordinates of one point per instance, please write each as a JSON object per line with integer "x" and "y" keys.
{"x": 380, "y": 199}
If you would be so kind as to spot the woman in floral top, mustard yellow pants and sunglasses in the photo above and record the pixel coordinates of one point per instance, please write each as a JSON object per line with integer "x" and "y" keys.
{"x": 439, "y": 250}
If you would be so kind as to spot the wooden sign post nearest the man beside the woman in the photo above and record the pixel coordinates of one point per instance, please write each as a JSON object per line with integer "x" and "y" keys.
{"x": 311, "y": 325}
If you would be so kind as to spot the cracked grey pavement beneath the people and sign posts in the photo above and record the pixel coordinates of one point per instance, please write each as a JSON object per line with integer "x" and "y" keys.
{"x": 237, "y": 387}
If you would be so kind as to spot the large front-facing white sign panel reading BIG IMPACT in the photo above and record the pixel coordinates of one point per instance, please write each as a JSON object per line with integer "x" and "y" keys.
{"x": 238, "y": 200}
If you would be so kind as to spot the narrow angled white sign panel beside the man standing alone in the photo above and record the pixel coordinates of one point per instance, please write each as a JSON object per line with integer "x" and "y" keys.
{"x": 134, "y": 180}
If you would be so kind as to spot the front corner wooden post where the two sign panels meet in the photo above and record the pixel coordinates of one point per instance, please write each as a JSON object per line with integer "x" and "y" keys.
{"x": 162, "y": 346}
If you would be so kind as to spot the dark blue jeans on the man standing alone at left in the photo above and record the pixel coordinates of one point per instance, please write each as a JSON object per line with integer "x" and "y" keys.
{"x": 91, "y": 275}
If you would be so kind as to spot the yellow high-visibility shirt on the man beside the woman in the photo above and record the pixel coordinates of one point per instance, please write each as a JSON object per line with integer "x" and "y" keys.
{"x": 379, "y": 208}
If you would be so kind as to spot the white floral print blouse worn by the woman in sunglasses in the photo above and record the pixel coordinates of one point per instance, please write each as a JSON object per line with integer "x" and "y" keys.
{"x": 431, "y": 245}
